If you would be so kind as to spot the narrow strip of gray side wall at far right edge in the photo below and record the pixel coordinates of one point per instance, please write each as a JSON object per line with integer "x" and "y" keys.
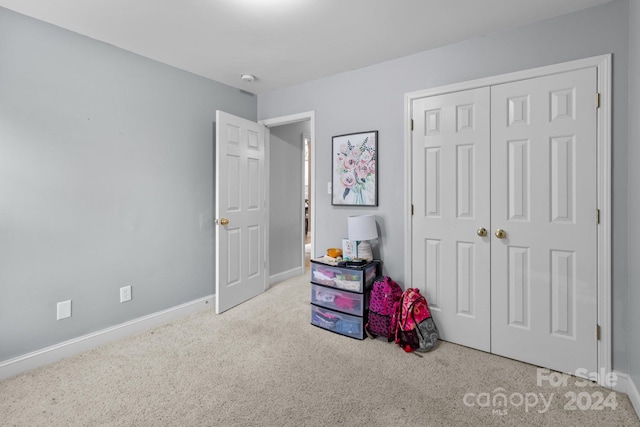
{"x": 633, "y": 299}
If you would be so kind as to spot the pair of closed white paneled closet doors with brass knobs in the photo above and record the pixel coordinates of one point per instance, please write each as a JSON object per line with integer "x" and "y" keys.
{"x": 519, "y": 161}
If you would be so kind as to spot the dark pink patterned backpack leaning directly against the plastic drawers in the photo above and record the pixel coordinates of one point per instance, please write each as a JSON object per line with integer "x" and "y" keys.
{"x": 383, "y": 308}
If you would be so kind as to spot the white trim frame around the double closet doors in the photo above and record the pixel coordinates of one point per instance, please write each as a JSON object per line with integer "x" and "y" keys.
{"x": 603, "y": 141}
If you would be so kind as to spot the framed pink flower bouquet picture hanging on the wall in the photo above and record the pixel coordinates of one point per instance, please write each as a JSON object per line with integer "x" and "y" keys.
{"x": 354, "y": 174}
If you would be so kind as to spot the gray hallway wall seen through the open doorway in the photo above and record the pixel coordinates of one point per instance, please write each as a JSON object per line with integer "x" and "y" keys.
{"x": 286, "y": 181}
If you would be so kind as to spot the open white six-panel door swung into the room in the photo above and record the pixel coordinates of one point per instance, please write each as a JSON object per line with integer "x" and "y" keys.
{"x": 241, "y": 232}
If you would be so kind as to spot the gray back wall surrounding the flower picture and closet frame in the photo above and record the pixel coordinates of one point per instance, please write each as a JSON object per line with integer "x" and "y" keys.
{"x": 372, "y": 98}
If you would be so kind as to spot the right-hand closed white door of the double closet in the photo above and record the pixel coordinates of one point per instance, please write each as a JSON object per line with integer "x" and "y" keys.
{"x": 543, "y": 196}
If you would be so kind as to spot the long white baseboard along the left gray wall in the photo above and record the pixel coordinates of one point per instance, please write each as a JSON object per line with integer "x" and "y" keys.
{"x": 45, "y": 356}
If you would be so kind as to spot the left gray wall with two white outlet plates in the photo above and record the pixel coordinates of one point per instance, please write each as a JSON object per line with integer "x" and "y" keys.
{"x": 106, "y": 180}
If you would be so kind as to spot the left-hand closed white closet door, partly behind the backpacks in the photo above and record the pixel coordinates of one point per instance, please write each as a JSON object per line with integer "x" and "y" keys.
{"x": 451, "y": 197}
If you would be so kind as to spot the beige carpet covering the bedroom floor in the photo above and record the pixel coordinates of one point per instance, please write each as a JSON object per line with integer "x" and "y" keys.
{"x": 263, "y": 364}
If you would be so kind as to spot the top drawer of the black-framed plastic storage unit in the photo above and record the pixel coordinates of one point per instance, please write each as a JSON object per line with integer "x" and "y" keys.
{"x": 355, "y": 279}
